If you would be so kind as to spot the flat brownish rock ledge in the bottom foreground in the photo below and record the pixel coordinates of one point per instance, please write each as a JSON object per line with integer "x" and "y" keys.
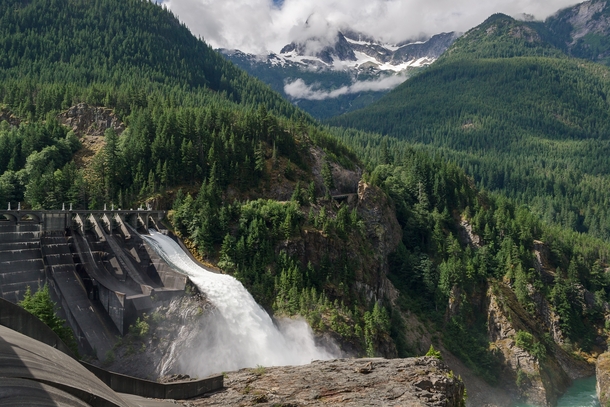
{"x": 416, "y": 382}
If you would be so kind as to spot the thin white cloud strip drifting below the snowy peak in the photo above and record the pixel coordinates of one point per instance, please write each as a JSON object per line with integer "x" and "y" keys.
{"x": 298, "y": 89}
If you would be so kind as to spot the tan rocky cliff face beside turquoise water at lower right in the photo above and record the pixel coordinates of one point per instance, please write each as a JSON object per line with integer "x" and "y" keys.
{"x": 538, "y": 371}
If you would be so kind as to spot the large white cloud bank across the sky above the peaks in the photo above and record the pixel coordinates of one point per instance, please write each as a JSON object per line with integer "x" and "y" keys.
{"x": 260, "y": 26}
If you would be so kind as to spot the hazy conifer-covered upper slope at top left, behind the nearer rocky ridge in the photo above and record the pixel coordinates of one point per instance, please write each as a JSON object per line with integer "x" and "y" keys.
{"x": 112, "y": 55}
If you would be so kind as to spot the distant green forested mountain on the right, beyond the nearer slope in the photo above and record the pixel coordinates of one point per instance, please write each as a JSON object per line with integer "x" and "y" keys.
{"x": 517, "y": 114}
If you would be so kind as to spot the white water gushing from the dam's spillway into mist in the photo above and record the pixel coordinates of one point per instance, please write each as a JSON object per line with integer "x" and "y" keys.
{"x": 241, "y": 334}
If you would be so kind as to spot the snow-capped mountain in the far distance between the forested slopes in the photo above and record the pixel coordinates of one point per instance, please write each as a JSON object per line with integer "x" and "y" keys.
{"x": 327, "y": 78}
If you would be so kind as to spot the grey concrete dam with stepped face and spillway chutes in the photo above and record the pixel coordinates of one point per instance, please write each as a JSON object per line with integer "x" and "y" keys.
{"x": 98, "y": 268}
